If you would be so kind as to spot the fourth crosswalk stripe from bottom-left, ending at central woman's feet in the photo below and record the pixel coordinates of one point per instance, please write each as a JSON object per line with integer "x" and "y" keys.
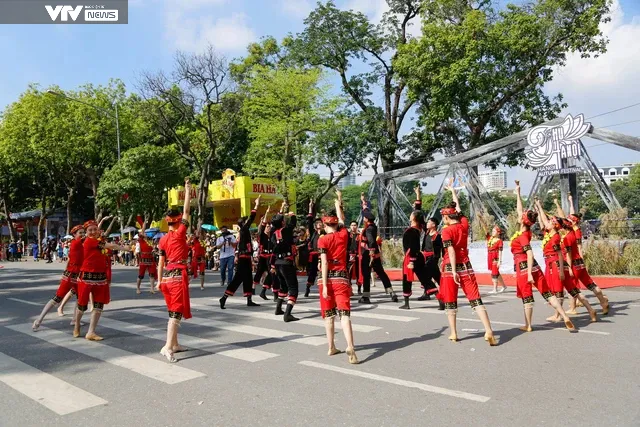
{"x": 243, "y": 329}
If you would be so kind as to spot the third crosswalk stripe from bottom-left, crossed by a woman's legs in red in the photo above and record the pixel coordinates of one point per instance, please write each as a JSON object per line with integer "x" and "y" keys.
{"x": 216, "y": 347}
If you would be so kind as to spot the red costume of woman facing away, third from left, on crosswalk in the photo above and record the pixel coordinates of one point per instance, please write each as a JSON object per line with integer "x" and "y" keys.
{"x": 175, "y": 278}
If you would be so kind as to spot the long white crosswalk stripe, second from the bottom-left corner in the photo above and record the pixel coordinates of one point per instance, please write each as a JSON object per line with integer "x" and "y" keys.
{"x": 152, "y": 368}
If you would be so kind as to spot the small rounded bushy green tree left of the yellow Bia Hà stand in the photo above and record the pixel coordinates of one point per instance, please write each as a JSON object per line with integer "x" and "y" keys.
{"x": 137, "y": 184}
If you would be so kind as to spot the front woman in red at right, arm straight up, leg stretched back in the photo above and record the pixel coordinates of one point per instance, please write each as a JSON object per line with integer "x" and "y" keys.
{"x": 528, "y": 273}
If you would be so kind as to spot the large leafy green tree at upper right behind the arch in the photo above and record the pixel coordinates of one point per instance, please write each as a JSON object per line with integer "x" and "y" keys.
{"x": 478, "y": 72}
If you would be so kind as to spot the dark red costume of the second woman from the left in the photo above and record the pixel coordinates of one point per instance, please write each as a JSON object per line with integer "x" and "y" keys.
{"x": 93, "y": 275}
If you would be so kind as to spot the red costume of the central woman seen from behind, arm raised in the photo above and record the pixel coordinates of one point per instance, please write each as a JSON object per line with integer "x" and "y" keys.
{"x": 338, "y": 286}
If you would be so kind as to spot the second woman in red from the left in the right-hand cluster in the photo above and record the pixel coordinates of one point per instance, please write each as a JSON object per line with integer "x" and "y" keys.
{"x": 557, "y": 271}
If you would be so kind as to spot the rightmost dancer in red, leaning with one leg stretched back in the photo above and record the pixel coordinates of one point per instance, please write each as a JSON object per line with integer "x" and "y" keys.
{"x": 573, "y": 243}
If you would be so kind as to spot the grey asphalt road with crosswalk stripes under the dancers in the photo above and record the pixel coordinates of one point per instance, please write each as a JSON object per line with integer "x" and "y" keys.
{"x": 246, "y": 367}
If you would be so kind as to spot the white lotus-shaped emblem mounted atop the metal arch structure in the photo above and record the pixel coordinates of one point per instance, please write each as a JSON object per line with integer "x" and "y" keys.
{"x": 551, "y": 144}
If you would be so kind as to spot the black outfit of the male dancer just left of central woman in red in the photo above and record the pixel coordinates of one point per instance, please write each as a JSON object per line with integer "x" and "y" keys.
{"x": 283, "y": 259}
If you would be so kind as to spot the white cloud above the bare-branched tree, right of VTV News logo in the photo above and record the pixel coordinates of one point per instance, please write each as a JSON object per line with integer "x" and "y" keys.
{"x": 193, "y": 31}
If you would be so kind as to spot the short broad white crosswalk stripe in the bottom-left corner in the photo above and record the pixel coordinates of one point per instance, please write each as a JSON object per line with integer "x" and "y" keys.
{"x": 49, "y": 391}
